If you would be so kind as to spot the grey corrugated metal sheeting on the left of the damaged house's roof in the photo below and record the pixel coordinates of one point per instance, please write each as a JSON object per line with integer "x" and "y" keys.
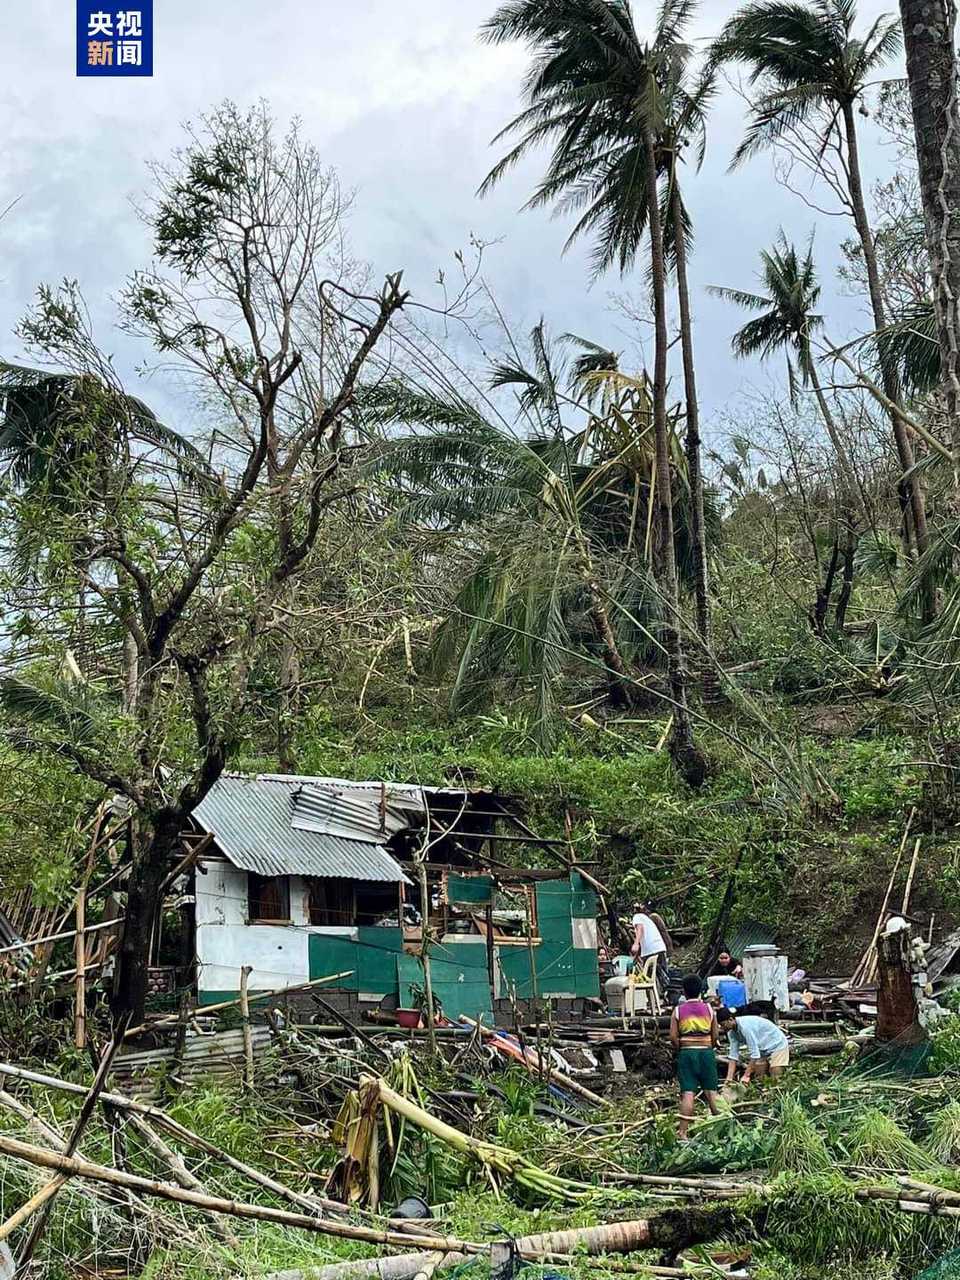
{"x": 250, "y": 819}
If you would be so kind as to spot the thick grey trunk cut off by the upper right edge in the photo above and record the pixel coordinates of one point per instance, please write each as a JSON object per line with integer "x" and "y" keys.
{"x": 930, "y": 40}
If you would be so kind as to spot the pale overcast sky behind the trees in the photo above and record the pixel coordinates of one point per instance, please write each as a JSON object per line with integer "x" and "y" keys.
{"x": 403, "y": 99}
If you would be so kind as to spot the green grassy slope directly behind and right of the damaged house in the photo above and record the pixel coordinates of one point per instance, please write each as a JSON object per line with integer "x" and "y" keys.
{"x": 816, "y": 871}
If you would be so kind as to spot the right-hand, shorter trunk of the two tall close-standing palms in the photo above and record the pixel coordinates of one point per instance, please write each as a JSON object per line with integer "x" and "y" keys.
{"x": 698, "y": 524}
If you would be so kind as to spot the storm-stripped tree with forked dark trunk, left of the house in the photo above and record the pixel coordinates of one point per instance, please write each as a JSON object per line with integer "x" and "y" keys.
{"x": 243, "y": 222}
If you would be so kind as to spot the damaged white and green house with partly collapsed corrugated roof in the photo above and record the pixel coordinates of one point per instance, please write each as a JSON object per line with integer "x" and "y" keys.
{"x": 303, "y": 879}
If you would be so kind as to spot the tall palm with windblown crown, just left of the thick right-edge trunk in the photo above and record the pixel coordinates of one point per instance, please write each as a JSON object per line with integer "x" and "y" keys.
{"x": 810, "y": 66}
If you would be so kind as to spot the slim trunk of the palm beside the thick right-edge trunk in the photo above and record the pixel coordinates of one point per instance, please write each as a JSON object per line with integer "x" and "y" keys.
{"x": 909, "y": 487}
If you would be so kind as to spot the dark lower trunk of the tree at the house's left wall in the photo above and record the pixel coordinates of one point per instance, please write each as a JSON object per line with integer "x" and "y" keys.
{"x": 152, "y": 851}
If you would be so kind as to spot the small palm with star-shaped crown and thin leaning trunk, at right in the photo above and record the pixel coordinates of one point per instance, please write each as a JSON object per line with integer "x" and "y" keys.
{"x": 787, "y": 322}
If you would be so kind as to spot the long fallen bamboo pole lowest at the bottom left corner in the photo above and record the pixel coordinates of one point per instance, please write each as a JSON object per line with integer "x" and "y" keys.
{"x": 72, "y": 1167}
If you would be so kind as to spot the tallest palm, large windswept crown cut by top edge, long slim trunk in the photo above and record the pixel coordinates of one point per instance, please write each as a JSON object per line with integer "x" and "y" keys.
{"x": 598, "y": 92}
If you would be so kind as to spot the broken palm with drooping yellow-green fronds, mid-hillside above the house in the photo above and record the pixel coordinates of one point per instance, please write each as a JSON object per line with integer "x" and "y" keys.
{"x": 556, "y": 525}
